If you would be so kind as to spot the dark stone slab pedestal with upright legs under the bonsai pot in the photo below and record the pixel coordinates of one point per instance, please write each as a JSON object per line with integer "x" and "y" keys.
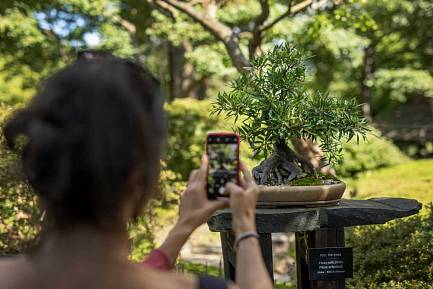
{"x": 315, "y": 228}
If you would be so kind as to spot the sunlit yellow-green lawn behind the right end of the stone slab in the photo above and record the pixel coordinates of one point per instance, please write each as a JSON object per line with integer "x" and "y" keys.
{"x": 413, "y": 179}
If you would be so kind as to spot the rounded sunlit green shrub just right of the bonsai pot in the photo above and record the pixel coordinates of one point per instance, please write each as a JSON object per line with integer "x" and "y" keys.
{"x": 373, "y": 153}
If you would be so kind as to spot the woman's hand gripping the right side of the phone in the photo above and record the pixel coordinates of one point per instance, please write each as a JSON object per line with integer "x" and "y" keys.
{"x": 243, "y": 199}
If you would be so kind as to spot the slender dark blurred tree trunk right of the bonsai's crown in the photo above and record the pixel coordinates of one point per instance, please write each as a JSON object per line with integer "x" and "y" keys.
{"x": 366, "y": 94}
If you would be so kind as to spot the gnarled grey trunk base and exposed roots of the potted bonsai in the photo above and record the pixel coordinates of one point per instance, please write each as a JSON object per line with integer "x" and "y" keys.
{"x": 283, "y": 165}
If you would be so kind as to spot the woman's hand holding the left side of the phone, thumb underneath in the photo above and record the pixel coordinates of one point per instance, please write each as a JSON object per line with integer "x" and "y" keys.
{"x": 195, "y": 208}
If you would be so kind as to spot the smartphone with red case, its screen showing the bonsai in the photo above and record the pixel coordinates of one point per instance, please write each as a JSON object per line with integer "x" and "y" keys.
{"x": 222, "y": 149}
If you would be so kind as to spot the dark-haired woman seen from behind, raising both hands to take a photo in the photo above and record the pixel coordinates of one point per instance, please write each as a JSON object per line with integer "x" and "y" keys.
{"x": 92, "y": 142}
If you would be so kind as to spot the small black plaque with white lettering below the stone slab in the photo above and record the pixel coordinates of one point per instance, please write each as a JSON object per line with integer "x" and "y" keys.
{"x": 330, "y": 263}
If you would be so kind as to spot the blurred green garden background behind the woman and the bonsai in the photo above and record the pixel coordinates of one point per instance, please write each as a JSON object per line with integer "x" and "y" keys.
{"x": 379, "y": 52}
